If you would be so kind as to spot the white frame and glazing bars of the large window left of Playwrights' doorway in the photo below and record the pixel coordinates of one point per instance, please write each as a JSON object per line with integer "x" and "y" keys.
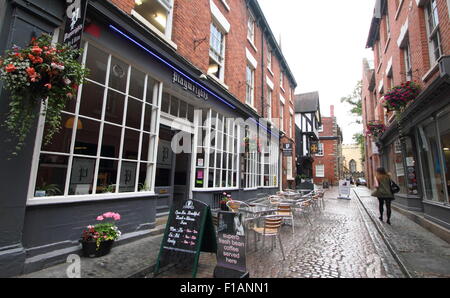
{"x": 153, "y": 132}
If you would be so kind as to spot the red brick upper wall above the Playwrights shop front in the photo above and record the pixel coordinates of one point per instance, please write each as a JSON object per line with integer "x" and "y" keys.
{"x": 191, "y": 33}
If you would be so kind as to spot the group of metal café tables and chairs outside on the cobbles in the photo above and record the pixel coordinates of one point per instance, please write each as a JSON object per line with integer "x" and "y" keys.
{"x": 266, "y": 216}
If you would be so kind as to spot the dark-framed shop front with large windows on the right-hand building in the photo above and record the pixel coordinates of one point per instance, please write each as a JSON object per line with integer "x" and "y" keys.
{"x": 418, "y": 158}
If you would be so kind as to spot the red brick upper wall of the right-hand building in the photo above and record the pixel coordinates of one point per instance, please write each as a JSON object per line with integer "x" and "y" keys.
{"x": 420, "y": 61}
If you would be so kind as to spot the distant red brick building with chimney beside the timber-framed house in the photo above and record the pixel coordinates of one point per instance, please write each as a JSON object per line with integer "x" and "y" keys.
{"x": 327, "y": 165}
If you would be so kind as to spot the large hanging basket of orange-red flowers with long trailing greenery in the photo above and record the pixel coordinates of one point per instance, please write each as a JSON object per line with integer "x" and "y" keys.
{"x": 44, "y": 73}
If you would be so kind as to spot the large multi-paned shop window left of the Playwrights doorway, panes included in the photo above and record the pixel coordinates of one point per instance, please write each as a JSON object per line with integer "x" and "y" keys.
{"x": 109, "y": 133}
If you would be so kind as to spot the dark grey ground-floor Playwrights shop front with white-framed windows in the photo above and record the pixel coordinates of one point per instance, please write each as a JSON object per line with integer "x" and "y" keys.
{"x": 143, "y": 132}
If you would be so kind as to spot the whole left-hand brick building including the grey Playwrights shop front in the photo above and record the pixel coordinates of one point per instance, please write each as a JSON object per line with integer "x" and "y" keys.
{"x": 164, "y": 73}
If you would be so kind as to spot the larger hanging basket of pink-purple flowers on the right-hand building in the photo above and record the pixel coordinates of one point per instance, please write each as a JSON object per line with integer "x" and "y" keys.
{"x": 398, "y": 97}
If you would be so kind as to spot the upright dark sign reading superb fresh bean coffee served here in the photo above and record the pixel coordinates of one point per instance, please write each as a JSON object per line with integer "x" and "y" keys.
{"x": 230, "y": 246}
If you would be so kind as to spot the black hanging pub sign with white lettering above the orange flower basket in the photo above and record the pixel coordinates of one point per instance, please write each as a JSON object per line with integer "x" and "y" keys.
{"x": 75, "y": 15}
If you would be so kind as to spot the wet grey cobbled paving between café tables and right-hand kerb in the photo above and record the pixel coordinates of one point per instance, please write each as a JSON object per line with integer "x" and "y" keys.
{"x": 341, "y": 242}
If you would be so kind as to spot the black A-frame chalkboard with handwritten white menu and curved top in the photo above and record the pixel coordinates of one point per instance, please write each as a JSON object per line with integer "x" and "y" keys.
{"x": 189, "y": 231}
